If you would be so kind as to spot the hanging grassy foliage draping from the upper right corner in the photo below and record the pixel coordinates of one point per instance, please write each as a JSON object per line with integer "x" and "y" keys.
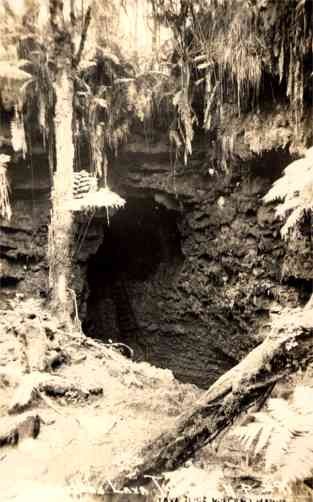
{"x": 231, "y": 48}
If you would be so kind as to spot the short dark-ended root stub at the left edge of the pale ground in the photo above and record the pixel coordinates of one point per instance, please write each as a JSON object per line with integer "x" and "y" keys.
{"x": 11, "y": 435}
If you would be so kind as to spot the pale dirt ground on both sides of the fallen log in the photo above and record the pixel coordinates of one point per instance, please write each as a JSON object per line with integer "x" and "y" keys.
{"x": 97, "y": 410}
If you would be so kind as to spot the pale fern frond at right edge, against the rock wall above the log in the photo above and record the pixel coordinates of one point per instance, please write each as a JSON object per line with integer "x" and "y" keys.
{"x": 295, "y": 190}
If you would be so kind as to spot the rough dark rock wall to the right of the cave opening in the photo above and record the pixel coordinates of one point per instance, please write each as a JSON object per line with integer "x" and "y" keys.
{"x": 199, "y": 317}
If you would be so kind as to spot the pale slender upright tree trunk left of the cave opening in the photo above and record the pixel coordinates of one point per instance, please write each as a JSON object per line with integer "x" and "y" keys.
{"x": 60, "y": 230}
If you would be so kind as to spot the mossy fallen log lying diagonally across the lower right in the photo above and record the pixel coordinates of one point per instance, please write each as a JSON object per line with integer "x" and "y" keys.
{"x": 288, "y": 348}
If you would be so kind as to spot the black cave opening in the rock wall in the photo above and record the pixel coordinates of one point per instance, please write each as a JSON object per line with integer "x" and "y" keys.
{"x": 140, "y": 239}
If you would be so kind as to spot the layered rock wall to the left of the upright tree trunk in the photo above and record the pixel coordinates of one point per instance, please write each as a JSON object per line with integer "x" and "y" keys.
{"x": 23, "y": 239}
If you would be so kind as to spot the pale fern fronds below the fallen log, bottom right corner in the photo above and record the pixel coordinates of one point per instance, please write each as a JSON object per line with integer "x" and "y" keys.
{"x": 285, "y": 434}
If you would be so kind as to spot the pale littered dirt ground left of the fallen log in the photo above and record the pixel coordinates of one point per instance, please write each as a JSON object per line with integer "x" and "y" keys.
{"x": 84, "y": 440}
